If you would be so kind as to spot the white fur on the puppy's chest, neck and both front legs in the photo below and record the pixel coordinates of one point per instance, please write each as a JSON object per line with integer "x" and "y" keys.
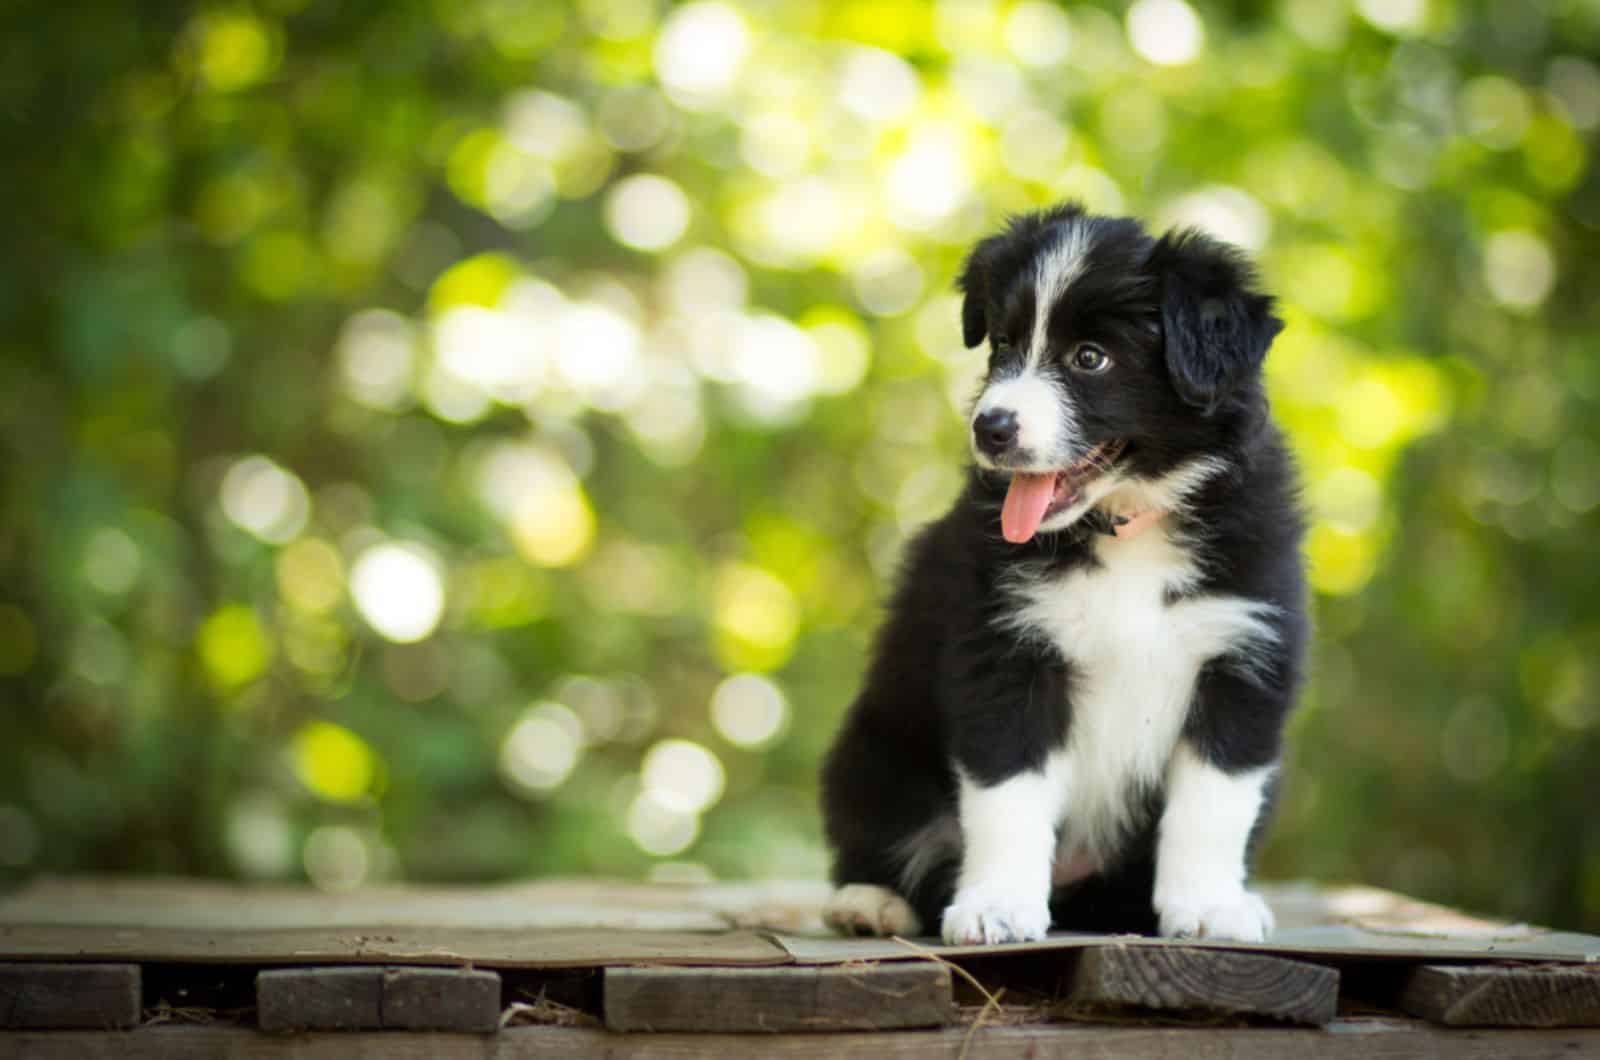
{"x": 1135, "y": 657}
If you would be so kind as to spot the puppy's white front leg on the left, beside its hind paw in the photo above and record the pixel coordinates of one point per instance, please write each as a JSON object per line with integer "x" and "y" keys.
{"x": 1009, "y": 835}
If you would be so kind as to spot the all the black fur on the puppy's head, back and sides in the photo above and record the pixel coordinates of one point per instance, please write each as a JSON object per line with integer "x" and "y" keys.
{"x": 946, "y": 688}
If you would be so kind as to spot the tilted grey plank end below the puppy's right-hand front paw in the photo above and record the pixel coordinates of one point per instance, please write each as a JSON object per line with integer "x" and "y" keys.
{"x": 1204, "y": 981}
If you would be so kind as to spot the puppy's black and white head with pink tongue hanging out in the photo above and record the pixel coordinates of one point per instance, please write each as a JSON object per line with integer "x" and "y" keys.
{"x": 1116, "y": 359}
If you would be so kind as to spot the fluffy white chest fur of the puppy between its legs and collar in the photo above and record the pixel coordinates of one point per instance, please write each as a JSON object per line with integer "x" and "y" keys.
{"x": 1134, "y": 654}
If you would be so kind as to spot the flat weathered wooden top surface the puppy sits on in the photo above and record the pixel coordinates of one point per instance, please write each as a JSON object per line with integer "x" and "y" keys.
{"x": 582, "y": 923}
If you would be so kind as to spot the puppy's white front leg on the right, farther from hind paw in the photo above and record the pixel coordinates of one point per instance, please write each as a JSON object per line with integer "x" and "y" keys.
{"x": 1201, "y": 854}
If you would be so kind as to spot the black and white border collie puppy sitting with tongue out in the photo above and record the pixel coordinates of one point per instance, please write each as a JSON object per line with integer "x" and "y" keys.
{"x": 1076, "y": 707}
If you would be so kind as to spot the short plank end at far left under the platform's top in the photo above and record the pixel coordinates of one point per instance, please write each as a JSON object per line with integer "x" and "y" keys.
{"x": 70, "y": 995}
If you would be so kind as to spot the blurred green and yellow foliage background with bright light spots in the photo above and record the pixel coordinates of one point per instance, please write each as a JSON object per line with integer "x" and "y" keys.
{"x": 471, "y": 440}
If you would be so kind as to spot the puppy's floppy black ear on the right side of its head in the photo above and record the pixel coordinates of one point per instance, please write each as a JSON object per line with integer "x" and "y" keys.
{"x": 1217, "y": 324}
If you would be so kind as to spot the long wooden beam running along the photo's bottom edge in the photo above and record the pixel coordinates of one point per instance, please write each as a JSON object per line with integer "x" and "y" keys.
{"x": 1342, "y": 1040}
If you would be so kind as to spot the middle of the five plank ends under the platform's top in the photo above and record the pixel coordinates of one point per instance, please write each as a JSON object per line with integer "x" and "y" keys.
{"x": 778, "y": 1000}
